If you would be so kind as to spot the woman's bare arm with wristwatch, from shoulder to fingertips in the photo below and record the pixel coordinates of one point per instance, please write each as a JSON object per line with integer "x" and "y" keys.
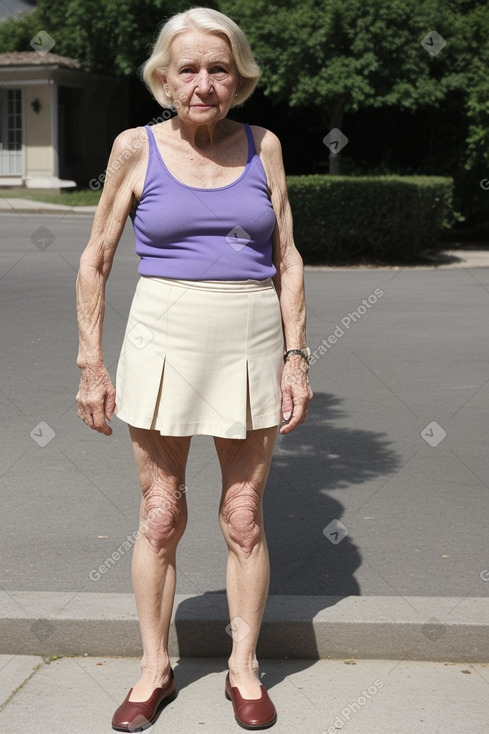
{"x": 289, "y": 283}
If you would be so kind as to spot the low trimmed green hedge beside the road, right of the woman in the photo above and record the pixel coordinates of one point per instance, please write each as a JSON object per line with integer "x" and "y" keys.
{"x": 347, "y": 219}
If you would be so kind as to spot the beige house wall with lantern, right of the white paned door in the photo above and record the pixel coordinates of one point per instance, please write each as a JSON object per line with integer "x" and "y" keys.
{"x": 80, "y": 115}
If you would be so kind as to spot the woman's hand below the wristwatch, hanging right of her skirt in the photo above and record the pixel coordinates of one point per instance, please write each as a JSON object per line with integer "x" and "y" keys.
{"x": 296, "y": 393}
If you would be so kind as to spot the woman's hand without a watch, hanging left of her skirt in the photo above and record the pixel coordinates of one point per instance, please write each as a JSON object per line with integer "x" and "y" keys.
{"x": 96, "y": 398}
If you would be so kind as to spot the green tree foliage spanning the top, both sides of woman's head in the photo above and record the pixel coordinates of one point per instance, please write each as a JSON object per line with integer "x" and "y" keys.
{"x": 341, "y": 56}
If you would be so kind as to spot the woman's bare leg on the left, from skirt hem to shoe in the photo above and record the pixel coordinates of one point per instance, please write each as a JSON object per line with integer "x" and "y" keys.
{"x": 161, "y": 463}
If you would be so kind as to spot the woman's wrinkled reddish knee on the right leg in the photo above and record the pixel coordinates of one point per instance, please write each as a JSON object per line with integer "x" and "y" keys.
{"x": 241, "y": 518}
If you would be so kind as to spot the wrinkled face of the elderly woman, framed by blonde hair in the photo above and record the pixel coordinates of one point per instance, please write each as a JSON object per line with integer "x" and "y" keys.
{"x": 202, "y": 78}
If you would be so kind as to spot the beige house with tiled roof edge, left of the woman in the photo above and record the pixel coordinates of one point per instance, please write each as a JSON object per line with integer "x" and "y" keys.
{"x": 57, "y": 122}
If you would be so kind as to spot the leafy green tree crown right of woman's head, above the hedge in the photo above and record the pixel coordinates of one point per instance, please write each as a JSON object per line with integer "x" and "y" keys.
{"x": 347, "y": 55}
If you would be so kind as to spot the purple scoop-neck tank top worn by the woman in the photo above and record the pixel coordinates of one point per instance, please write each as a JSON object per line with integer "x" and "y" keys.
{"x": 192, "y": 233}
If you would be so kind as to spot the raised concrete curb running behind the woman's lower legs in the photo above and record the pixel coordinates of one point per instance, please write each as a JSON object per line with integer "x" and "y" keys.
{"x": 411, "y": 628}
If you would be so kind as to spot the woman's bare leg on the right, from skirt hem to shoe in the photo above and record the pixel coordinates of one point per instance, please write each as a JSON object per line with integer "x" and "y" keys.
{"x": 245, "y": 465}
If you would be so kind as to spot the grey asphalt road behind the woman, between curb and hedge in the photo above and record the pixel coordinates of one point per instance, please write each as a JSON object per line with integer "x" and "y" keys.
{"x": 384, "y": 491}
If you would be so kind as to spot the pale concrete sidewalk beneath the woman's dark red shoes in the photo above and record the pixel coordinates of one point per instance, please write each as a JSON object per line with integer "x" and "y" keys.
{"x": 79, "y": 695}
